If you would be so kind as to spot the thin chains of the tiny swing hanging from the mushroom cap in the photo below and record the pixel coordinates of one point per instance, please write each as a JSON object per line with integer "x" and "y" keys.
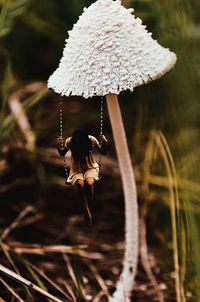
{"x": 61, "y": 136}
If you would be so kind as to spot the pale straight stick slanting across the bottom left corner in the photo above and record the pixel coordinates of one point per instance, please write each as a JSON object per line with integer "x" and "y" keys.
{"x": 26, "y": 282}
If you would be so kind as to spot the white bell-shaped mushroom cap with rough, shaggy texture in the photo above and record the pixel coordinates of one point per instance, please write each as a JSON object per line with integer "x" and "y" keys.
{"x": 108, "y": 51}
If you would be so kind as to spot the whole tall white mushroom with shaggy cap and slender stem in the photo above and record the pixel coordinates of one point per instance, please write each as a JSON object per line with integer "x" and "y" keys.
{"x": 108, "y": 51}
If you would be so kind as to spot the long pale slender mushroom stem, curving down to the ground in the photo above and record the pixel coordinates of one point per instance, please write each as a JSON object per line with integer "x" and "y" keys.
{"x": 125, "y": 284}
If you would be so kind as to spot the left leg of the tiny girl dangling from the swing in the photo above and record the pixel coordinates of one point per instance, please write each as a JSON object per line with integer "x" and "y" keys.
{"x": 83, "y": 197}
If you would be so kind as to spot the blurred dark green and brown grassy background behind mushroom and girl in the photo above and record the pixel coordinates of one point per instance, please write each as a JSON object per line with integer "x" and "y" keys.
{"x": 42, "y": 233}
